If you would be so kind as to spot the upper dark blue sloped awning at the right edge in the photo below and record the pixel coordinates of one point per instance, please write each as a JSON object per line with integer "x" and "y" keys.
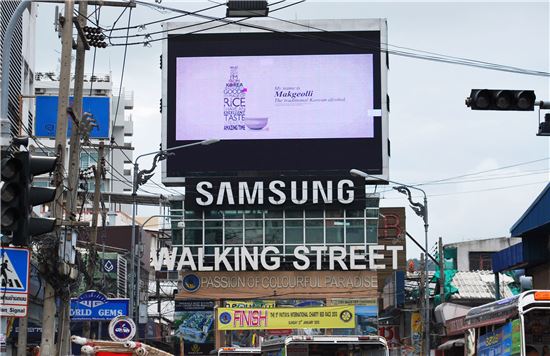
{"x": 536, "y": 218}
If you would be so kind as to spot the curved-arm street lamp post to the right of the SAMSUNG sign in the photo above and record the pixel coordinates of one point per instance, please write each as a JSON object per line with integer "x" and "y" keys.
{"x": 421, "y": 209}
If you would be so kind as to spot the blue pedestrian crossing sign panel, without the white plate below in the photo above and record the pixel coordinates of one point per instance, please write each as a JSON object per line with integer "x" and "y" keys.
{"x": 14, "y": 270}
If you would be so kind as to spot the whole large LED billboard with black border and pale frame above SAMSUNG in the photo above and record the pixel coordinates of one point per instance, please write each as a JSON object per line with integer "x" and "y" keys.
{"x": 283, "y": 102}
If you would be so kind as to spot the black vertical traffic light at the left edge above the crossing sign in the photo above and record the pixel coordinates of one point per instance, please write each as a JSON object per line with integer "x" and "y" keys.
{"x": 19, "y": 196}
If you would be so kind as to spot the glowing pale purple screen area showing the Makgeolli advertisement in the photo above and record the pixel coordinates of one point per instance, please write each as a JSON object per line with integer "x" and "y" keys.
{"x": 282, "y": 97}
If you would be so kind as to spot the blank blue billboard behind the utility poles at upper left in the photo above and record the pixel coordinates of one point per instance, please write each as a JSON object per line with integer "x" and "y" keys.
{"x": 46, "y": 115}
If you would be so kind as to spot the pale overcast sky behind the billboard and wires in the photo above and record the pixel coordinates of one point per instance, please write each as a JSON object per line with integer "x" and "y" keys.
{"x": 433, "y": 134}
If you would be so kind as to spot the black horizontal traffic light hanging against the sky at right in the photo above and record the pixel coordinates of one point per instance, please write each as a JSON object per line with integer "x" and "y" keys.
{"x": 499, "y": 99}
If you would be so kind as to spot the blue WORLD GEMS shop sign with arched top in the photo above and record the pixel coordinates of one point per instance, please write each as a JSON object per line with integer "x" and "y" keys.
{"x": 94, "y": 305}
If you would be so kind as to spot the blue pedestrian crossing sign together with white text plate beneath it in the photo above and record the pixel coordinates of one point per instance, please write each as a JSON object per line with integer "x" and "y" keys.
{"x": 14, "y": 281}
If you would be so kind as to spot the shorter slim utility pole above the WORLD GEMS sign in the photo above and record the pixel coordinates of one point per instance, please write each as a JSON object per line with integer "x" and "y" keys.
{"x": 92, "y": 251}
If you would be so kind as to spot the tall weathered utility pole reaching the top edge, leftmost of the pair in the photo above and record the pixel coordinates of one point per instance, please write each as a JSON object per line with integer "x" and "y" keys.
{"x": 47, "y": 344}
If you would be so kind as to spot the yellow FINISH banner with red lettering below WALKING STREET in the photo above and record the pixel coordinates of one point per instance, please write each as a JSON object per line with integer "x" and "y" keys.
{"x": 335, "y": 317}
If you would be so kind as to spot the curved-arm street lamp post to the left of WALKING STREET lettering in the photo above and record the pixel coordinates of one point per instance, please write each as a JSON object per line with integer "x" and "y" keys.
{"x": 140, "y": 178}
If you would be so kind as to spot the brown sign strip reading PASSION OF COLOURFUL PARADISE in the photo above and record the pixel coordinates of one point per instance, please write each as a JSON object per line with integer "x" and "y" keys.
{"x": 290, "y": 284}
